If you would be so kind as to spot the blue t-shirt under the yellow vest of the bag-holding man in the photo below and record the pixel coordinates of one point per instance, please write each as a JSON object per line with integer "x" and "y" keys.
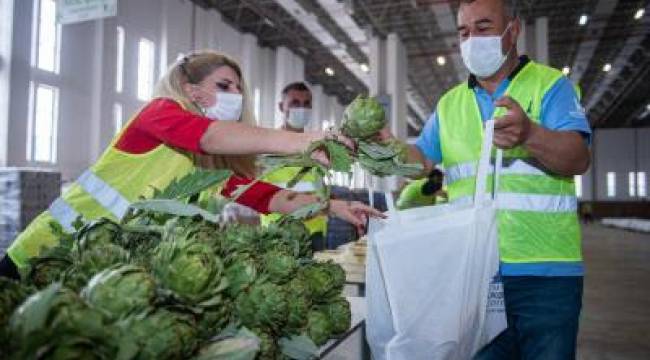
{"x": 561, "y": 111}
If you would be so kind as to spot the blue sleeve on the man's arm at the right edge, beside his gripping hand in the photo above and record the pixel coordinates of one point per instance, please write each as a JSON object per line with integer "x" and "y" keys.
{"x": 562, "y": 111}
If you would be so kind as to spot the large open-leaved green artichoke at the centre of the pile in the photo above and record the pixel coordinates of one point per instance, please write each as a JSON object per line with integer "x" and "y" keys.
{"x": 190, "y": 271}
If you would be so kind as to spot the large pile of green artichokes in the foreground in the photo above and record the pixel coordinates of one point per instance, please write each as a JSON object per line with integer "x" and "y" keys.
{"x": 159, "y": 285}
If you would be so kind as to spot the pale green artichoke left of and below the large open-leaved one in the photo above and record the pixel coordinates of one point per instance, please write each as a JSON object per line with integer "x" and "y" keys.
{"x": 120, "y": 291}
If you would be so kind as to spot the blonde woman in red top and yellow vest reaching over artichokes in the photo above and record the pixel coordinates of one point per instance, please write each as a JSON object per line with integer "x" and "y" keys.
{"x": 198, "y": 118}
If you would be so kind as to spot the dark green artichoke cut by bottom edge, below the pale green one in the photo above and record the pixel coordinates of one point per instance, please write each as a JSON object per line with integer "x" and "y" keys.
{"x": 156, "y": 335}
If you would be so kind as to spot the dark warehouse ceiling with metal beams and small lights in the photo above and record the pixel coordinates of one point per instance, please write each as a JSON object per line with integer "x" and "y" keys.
{"x": 612, "y": 35}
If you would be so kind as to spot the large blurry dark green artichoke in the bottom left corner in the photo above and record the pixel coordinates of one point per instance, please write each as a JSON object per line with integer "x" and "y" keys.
{"x": 56, "y": 324}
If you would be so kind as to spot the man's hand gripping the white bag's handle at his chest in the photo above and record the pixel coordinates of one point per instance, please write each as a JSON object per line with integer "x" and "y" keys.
{"x": 514, "y": 128}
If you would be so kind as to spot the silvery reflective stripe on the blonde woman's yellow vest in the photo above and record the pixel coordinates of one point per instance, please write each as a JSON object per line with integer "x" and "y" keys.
{"x": 100, "y": 191}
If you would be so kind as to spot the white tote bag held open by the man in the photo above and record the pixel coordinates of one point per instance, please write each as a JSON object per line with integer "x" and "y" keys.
{"x": 430, "y": 272}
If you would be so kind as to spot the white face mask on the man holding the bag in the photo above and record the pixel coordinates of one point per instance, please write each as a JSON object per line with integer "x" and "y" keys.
{"x": 482, "y": 55}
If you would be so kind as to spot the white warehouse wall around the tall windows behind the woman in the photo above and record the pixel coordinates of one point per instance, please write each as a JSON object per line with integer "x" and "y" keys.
{"x": 88, "y": 68}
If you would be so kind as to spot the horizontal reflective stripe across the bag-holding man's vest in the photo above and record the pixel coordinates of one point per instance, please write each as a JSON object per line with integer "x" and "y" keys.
{"x": 530, "y": 202}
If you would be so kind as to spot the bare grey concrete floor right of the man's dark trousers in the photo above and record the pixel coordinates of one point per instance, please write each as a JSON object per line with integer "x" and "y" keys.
{"x": 616, "y": 305}
